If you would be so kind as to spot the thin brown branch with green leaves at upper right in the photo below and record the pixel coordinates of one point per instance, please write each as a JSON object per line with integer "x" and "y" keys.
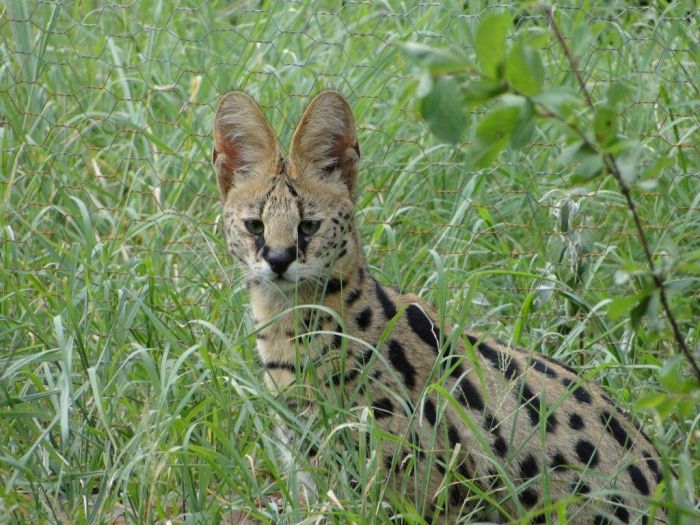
{"x": 515, "y": 76}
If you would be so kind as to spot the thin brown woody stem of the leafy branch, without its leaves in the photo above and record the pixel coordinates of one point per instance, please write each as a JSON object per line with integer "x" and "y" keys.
{"x": 611, "y": 165}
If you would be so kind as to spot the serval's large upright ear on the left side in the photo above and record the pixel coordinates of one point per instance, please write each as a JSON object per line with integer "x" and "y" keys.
{"x": 244, "y": 144}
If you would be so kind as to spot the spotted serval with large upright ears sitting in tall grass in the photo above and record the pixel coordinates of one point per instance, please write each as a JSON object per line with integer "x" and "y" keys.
{"x": 539, "y": 421}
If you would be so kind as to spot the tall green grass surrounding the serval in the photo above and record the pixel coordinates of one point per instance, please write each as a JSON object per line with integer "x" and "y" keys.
{"x": 129, "y": 384}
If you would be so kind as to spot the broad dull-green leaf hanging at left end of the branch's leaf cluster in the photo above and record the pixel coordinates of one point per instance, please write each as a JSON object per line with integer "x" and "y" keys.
{"x": 442, "y": 110}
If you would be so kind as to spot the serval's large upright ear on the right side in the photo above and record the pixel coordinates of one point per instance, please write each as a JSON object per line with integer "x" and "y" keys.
{"x": 325, "y": 143}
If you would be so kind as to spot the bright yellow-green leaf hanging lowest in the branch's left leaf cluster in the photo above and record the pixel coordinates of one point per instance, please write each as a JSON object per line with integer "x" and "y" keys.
{"x": 493, "y": 134}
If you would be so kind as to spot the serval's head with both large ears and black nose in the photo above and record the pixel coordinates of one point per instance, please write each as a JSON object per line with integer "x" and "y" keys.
{"x": 289, "y": 222}
